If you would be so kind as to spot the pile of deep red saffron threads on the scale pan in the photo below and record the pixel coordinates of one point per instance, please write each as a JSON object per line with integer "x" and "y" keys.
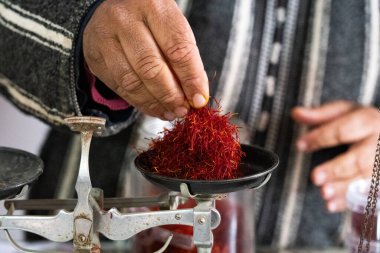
{"x": 204, "y": 145}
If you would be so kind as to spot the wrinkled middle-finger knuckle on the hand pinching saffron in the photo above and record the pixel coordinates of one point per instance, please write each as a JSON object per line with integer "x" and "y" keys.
{"x": 149, "y": 67}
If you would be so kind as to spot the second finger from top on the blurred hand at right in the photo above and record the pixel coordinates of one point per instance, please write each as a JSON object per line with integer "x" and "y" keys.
{"x": 349, "y": 128}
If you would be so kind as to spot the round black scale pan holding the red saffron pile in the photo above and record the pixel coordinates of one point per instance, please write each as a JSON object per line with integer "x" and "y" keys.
{"x": 256, "y": 166}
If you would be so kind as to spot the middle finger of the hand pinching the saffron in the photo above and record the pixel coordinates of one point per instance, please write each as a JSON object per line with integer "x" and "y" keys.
{"x": 150, "y": 66}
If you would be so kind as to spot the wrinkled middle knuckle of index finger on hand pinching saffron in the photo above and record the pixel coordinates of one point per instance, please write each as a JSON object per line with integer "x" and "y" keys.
{"x": 181, "y": 52}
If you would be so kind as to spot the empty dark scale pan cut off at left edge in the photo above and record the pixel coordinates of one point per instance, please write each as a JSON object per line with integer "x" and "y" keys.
{"x": 17, "y": 168}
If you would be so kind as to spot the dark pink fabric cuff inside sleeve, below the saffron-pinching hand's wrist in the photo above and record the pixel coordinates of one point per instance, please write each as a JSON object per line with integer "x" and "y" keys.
{"x": 115, "y": 104}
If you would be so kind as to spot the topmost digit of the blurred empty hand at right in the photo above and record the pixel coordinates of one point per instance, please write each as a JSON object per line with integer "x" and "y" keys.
{"x": 322, "y": 114}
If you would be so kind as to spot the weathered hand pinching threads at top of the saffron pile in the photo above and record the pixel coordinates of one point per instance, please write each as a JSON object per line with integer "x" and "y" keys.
{"x": 145, "y": 51}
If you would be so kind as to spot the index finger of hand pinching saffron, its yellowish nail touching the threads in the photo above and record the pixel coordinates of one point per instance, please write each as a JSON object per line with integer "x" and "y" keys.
{"x": 176, "y": 40}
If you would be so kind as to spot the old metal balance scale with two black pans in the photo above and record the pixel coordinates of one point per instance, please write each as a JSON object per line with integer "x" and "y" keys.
{"x": 93, "y": 215}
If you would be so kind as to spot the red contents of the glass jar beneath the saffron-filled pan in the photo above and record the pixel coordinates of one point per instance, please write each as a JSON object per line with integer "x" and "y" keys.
{"x": 228, "y": 236}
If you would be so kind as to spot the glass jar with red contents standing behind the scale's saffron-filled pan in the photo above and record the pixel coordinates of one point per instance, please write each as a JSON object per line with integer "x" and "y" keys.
{"x": 235, "y": 234}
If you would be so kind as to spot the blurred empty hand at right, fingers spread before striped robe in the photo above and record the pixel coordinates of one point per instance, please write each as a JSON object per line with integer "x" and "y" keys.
{"x": 334, "y": 124}
